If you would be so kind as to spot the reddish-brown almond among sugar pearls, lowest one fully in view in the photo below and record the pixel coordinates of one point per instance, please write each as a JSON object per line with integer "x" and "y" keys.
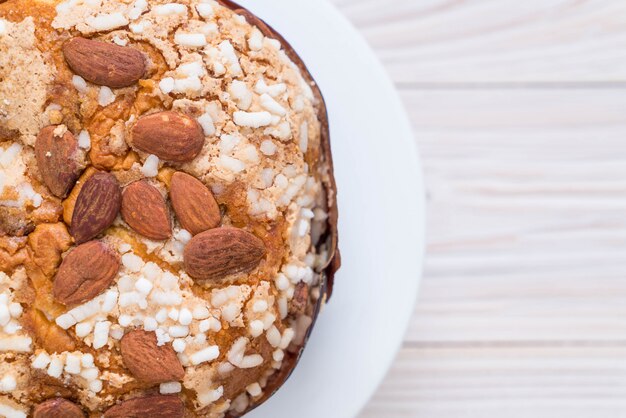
{"x": 147, "y": 361}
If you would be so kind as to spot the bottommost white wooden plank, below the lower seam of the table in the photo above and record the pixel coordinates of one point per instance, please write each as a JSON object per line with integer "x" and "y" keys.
{"x": 470, "y": 382}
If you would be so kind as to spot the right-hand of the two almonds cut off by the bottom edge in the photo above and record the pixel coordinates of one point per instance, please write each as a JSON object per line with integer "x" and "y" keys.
{"x": 153, "y": 406}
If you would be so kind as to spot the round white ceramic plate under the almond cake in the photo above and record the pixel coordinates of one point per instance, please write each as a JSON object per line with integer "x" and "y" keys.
{"x": 381, "y": 221}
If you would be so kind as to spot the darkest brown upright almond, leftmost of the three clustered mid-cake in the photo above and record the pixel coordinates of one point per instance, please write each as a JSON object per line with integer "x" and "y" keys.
{"x": 97, "y": 205}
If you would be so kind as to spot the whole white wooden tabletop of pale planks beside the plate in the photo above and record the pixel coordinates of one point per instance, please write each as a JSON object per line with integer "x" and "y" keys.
{"x": 519, "y": 109}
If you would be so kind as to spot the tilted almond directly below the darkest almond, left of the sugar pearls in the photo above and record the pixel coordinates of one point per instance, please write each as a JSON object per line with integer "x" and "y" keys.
{"x": 85, "y": 272}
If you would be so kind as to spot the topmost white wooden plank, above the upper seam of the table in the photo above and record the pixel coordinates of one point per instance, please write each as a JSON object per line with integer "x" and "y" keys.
{"x": 495, "y": 41}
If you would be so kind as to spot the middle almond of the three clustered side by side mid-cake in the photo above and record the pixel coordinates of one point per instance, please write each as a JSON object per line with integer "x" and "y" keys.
{"x": 145, "y": 211}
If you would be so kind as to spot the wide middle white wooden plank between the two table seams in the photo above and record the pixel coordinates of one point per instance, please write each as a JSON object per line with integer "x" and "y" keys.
{"x": 527, "y": 233}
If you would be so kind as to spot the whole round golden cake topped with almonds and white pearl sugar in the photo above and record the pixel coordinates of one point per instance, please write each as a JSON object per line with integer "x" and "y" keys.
{"x": 167, "y": 208}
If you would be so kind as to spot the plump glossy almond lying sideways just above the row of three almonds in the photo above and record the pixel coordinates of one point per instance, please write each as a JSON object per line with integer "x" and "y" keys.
{"x": 171, "y": 136}
